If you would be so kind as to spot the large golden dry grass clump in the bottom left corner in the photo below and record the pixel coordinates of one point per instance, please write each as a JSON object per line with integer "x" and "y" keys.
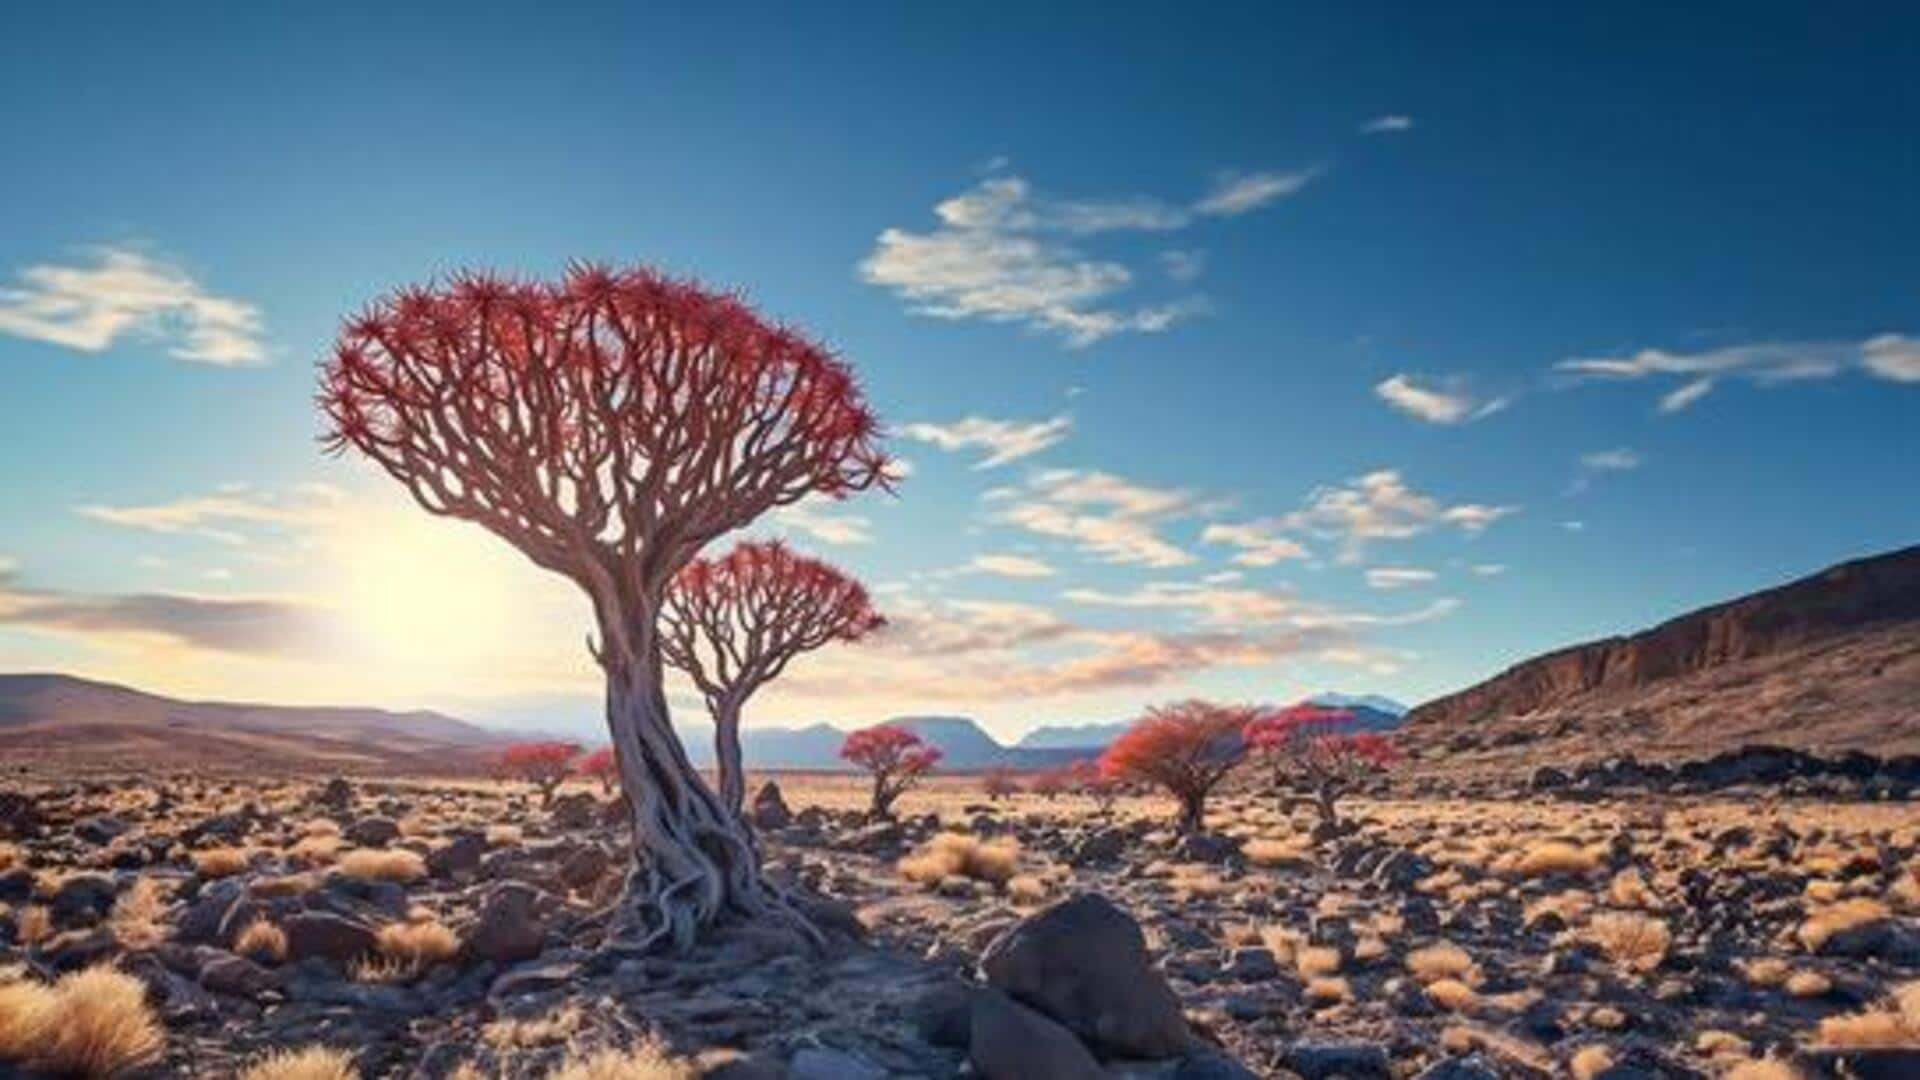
{"x": 91, "y": 1023}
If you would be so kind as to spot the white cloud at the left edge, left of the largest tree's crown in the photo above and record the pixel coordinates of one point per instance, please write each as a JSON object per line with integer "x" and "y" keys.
{"x": 126, "y": 293}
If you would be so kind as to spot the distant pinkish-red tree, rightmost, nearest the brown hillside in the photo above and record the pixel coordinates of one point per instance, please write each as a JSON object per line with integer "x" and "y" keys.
{"x": 1312, "y": 750}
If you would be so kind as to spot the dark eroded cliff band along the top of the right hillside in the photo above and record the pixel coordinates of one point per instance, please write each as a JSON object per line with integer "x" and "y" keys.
{"x": 1835, "y": 602}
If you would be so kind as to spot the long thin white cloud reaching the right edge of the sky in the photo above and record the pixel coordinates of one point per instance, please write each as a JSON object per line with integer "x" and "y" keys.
{"x": 1765, "y": 364}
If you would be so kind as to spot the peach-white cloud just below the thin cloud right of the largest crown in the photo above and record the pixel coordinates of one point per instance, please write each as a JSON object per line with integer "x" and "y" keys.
{"x": 1109, "y": 518}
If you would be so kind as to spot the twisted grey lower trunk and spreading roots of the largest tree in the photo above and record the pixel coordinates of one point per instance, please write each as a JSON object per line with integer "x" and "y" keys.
{"x": 694, "y": 862}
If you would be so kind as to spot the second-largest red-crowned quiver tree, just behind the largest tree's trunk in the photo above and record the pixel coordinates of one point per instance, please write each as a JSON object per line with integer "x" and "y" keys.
{"x": 734, "y": 624}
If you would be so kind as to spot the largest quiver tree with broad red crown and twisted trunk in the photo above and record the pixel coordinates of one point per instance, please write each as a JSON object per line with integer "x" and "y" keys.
{"x": 610, "y": 428}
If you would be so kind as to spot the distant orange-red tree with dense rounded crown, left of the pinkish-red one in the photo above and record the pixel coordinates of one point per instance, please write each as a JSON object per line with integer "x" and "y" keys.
{"x": 1186, "y": 749}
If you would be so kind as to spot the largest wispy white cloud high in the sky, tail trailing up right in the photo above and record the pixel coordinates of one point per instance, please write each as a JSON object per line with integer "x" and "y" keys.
{"x": 1007, "y": 255}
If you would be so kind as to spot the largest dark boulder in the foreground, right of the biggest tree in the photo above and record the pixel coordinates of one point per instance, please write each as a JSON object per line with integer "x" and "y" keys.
{"x": 1084, "y": 964}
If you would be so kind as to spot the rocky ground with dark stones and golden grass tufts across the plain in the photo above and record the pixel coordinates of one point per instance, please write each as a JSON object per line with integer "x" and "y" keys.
{"x": 452, "y": 931}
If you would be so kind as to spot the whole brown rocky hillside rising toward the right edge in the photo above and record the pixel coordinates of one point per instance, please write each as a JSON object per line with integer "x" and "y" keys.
{"x": 1827, "y": 662}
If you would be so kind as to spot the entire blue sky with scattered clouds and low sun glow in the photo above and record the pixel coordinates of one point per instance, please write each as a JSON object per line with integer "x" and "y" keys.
{"x": 1374, "y": 349}
